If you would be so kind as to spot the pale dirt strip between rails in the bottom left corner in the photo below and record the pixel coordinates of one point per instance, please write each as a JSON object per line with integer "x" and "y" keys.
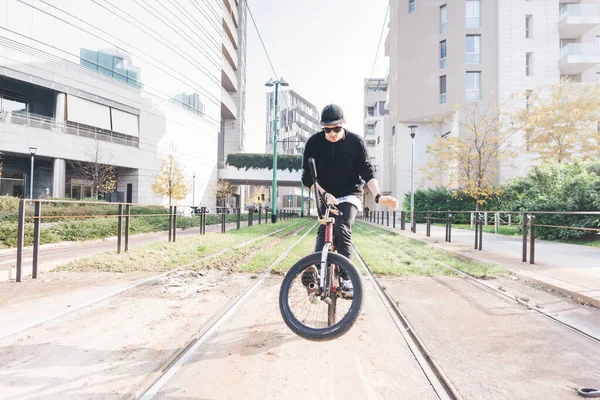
{"x": 108, "y": 351}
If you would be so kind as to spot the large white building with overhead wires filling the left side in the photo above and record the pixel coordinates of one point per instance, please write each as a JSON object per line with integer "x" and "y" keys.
{"x": 131, "y": 79}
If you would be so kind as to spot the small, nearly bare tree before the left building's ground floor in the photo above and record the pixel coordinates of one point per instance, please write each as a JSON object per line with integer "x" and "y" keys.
{"x": 97, "y": 170}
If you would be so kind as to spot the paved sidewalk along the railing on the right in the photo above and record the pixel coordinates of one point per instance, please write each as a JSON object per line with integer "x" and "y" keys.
{"x": 568, "y": 268}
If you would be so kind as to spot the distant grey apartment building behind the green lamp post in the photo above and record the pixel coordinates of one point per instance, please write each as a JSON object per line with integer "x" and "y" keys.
{"x": 298, "y": 120}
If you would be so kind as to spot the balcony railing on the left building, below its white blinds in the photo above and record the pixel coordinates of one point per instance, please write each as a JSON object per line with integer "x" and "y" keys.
{"x": 48, "y": 123}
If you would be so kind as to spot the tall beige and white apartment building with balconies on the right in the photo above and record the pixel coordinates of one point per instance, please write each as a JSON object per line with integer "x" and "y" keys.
{"x": 464, "y": 51}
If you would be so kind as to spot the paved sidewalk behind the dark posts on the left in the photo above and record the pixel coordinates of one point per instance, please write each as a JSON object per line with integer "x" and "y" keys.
{"x": 52, "y": 255}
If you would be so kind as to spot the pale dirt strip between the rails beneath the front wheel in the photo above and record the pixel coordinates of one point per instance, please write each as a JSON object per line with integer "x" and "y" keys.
{"x": 255, "y": 356}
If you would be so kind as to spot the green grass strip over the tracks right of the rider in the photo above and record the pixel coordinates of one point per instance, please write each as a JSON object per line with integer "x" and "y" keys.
{"x": 387, "y": 258}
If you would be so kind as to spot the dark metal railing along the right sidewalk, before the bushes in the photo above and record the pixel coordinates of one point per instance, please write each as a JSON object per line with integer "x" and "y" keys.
{"x": 477, "y": 220}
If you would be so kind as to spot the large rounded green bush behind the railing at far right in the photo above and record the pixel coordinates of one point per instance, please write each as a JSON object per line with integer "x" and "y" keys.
{"x": 573, "y": 187}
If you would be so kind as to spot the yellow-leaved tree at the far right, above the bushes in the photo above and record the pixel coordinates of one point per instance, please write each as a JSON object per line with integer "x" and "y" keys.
{"x": 561, "y": 121}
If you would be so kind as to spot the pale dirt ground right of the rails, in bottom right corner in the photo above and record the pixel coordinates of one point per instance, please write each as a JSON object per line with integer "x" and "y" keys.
{"x": 494, "y": 349}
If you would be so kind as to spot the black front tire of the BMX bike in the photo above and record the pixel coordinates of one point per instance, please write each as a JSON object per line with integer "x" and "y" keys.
{"x": 331, "y": 332}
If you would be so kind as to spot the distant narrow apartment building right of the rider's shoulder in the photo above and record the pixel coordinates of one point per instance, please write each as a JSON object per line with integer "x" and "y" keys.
{"x": 377, "y": 136}
